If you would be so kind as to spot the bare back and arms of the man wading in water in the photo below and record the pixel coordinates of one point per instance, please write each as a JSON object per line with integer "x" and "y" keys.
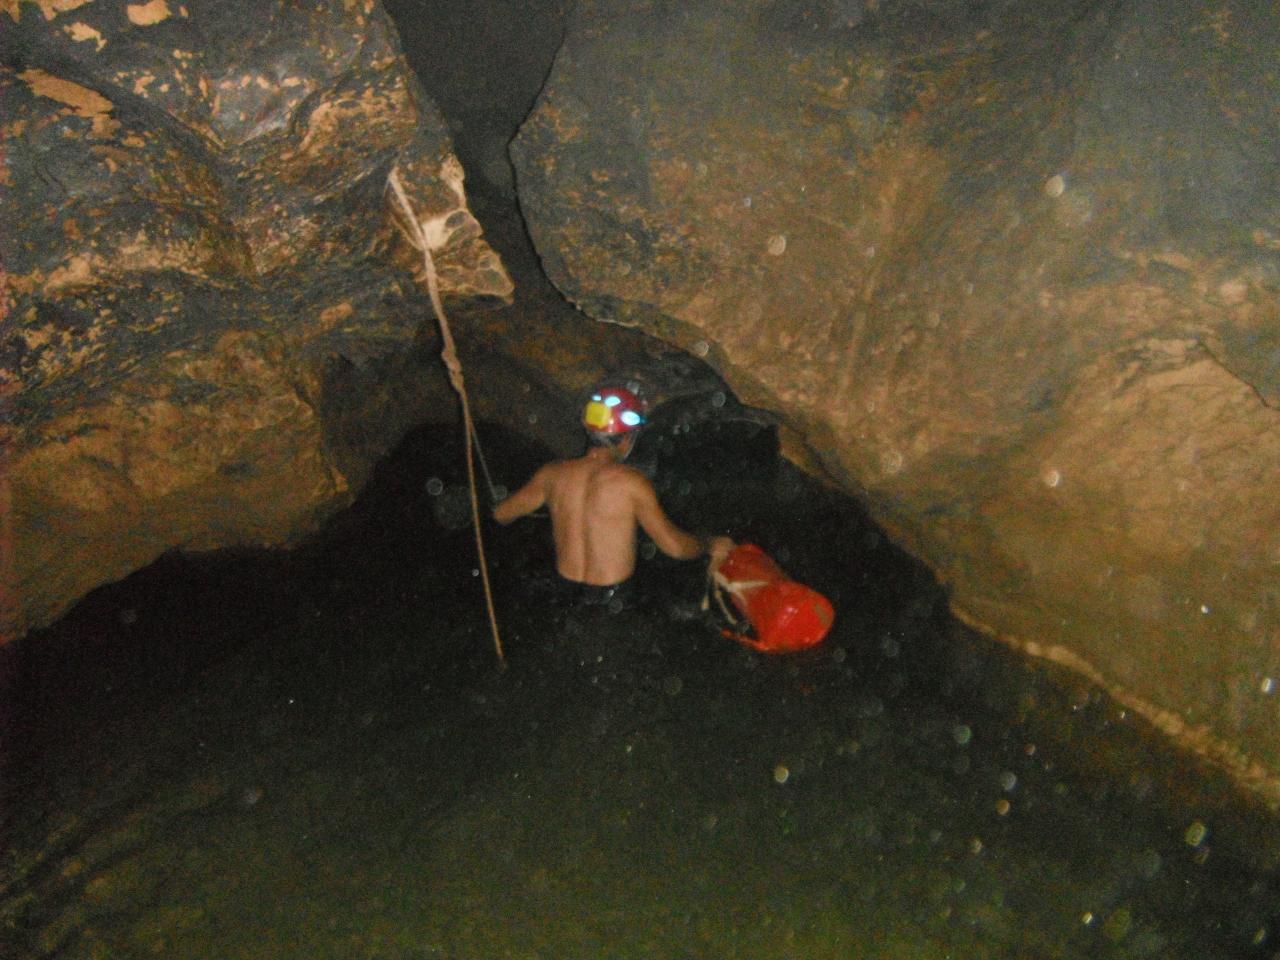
{"x": 596, "y": 505}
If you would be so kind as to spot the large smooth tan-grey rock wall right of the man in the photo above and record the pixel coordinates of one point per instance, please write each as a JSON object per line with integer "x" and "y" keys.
{"x": 1014, "y": 282}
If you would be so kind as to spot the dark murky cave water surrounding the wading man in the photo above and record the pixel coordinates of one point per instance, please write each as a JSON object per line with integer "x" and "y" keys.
{"x": 314, "y": 756}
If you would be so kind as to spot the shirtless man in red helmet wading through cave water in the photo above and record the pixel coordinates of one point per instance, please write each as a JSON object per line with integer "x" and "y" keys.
{"x": 597, "y": 502}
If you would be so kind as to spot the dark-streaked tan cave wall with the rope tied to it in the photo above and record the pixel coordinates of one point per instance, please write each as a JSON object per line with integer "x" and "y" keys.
{"x": 200, "y": 272}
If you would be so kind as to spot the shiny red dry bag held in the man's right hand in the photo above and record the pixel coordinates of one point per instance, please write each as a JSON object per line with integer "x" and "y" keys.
{"x": 785, "y": 616}
